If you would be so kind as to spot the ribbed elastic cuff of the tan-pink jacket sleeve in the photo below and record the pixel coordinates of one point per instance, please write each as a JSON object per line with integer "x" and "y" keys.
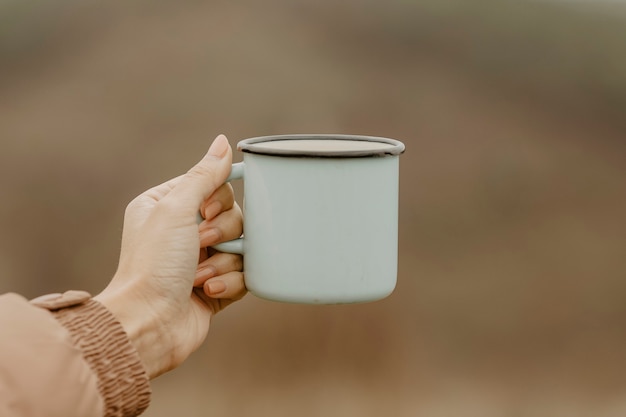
{"x": 122, "y": 380}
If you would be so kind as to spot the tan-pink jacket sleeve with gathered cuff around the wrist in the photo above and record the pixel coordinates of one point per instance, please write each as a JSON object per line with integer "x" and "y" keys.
{"x": 66, "y": 355}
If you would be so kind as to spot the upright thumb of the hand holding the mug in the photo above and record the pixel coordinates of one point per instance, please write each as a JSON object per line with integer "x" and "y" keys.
{"x": 204, "y": 178}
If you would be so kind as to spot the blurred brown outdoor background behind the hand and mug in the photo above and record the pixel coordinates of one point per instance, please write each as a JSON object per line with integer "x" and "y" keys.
{"x": 512, "y": 285}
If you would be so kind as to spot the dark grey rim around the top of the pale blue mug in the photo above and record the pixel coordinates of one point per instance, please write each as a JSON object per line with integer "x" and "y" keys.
{"x": 251, "y": 145}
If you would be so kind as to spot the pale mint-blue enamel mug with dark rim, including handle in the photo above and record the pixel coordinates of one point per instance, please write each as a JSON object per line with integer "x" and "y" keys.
{"x": 320, "y": 217}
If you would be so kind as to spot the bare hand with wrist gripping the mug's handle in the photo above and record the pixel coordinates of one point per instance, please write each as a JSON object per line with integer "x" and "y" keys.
{"x": 168, "y": 285}
